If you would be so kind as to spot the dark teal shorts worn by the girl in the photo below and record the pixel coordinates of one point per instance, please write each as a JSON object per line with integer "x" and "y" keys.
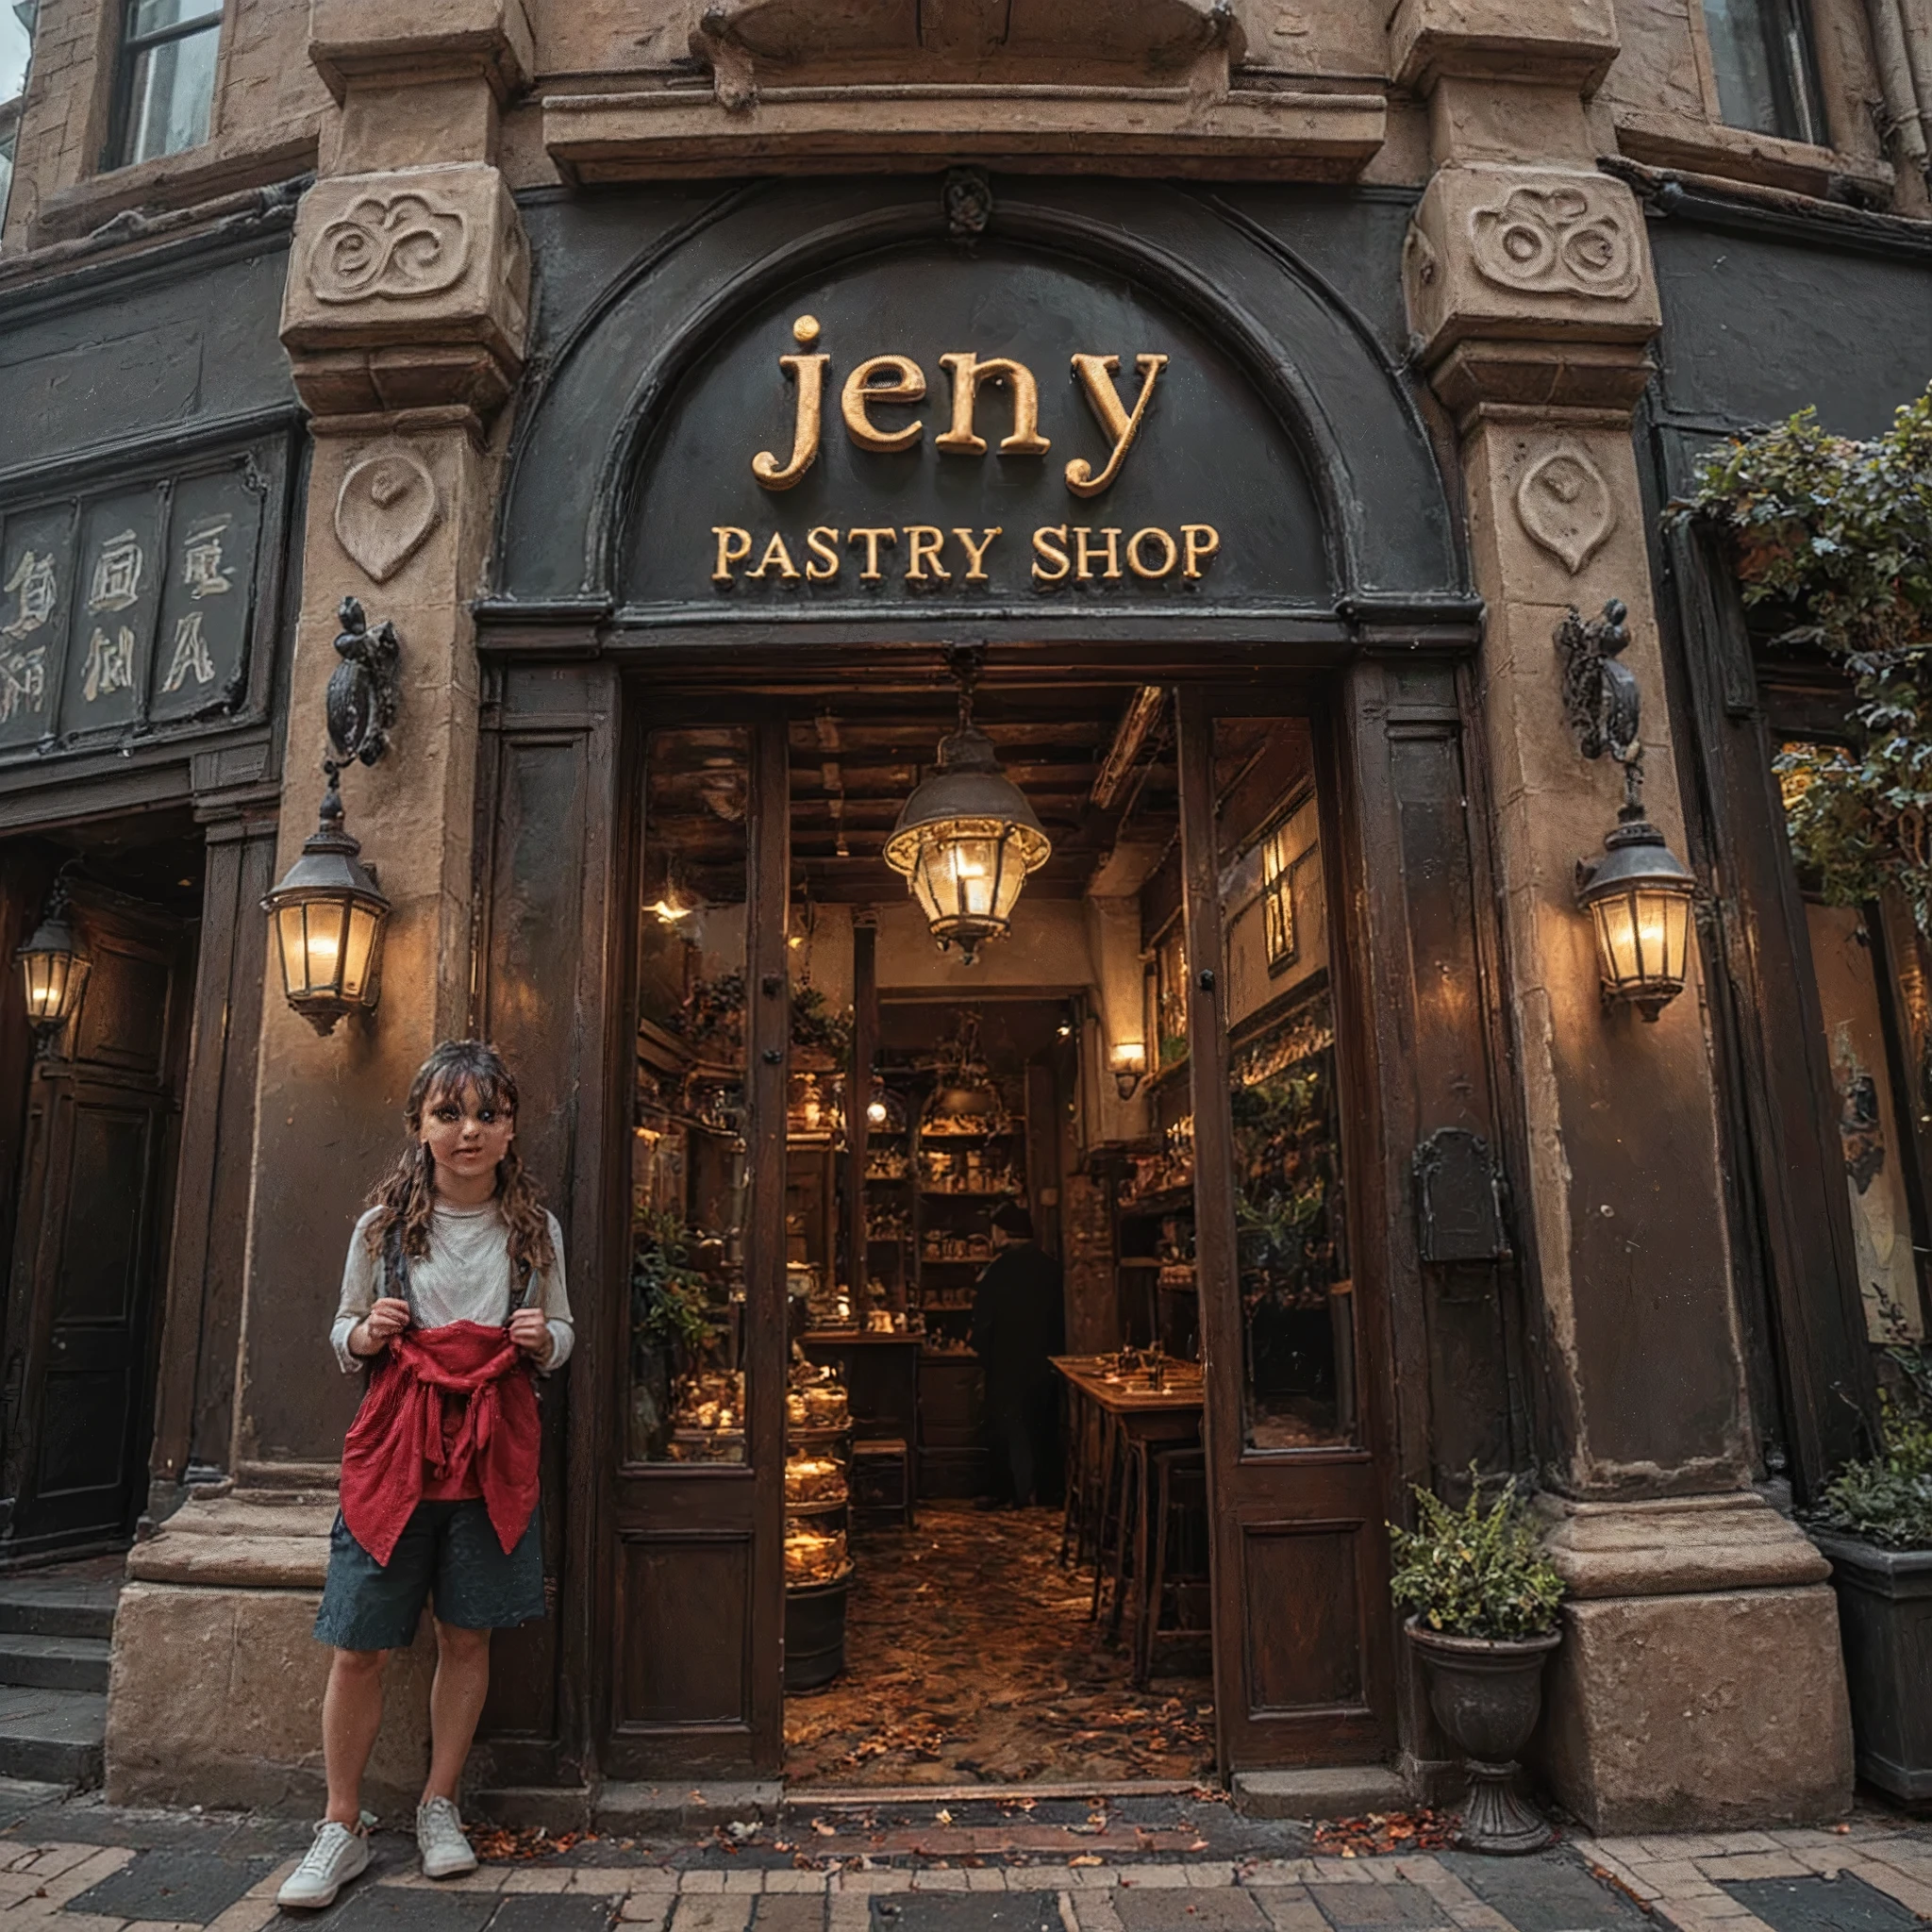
{"x": 447, "y": 1554}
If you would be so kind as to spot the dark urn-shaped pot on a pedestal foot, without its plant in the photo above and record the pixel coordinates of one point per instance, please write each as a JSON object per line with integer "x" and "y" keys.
{"x": 1489, "y": 1693}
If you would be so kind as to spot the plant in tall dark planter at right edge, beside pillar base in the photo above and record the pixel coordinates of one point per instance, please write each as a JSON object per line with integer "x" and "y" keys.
{"x": 1875, "y": 1523}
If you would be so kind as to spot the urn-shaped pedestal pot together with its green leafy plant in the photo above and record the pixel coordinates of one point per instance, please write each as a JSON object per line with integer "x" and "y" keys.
{"x": 1485, "y": 1620}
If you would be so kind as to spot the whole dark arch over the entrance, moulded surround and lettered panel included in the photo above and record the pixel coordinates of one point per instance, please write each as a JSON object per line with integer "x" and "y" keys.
{"x": 812, "y": 414}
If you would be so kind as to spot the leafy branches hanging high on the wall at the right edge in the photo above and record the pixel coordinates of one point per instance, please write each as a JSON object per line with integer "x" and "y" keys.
{"x": 1840, "y": 534}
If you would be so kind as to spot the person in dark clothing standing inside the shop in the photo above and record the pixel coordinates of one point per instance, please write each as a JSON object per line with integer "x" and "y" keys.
{"x": 1019, "y": 1322}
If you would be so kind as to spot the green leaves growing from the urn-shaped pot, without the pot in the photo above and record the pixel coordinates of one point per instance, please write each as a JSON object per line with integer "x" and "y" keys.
{"x": 1477, "y": 1572}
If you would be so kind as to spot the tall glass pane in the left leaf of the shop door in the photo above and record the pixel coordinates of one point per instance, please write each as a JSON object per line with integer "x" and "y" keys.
{"x": 689, "y": 1152}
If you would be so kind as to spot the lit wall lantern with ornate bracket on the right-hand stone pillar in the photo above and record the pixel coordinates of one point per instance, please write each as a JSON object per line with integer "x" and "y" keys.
{"x": 1639, "y": 894}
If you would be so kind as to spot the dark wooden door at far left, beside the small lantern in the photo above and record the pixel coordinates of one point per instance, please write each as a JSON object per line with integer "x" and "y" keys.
{"x": 92, "y": 1236}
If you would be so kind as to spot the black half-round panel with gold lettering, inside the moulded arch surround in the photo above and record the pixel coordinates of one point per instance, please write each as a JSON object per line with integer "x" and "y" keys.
{"x": 965, "y": 434}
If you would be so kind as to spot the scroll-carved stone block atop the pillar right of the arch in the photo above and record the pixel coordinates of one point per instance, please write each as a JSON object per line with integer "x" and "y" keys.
{"x": 1527, "y": 254}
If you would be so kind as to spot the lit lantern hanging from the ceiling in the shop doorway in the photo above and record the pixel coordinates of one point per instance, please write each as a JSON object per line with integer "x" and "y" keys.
{"x": 967, "y": 839}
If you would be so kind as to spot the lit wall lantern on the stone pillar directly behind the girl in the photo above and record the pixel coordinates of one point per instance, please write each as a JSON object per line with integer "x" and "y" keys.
{"x": 327, "y": 919}
